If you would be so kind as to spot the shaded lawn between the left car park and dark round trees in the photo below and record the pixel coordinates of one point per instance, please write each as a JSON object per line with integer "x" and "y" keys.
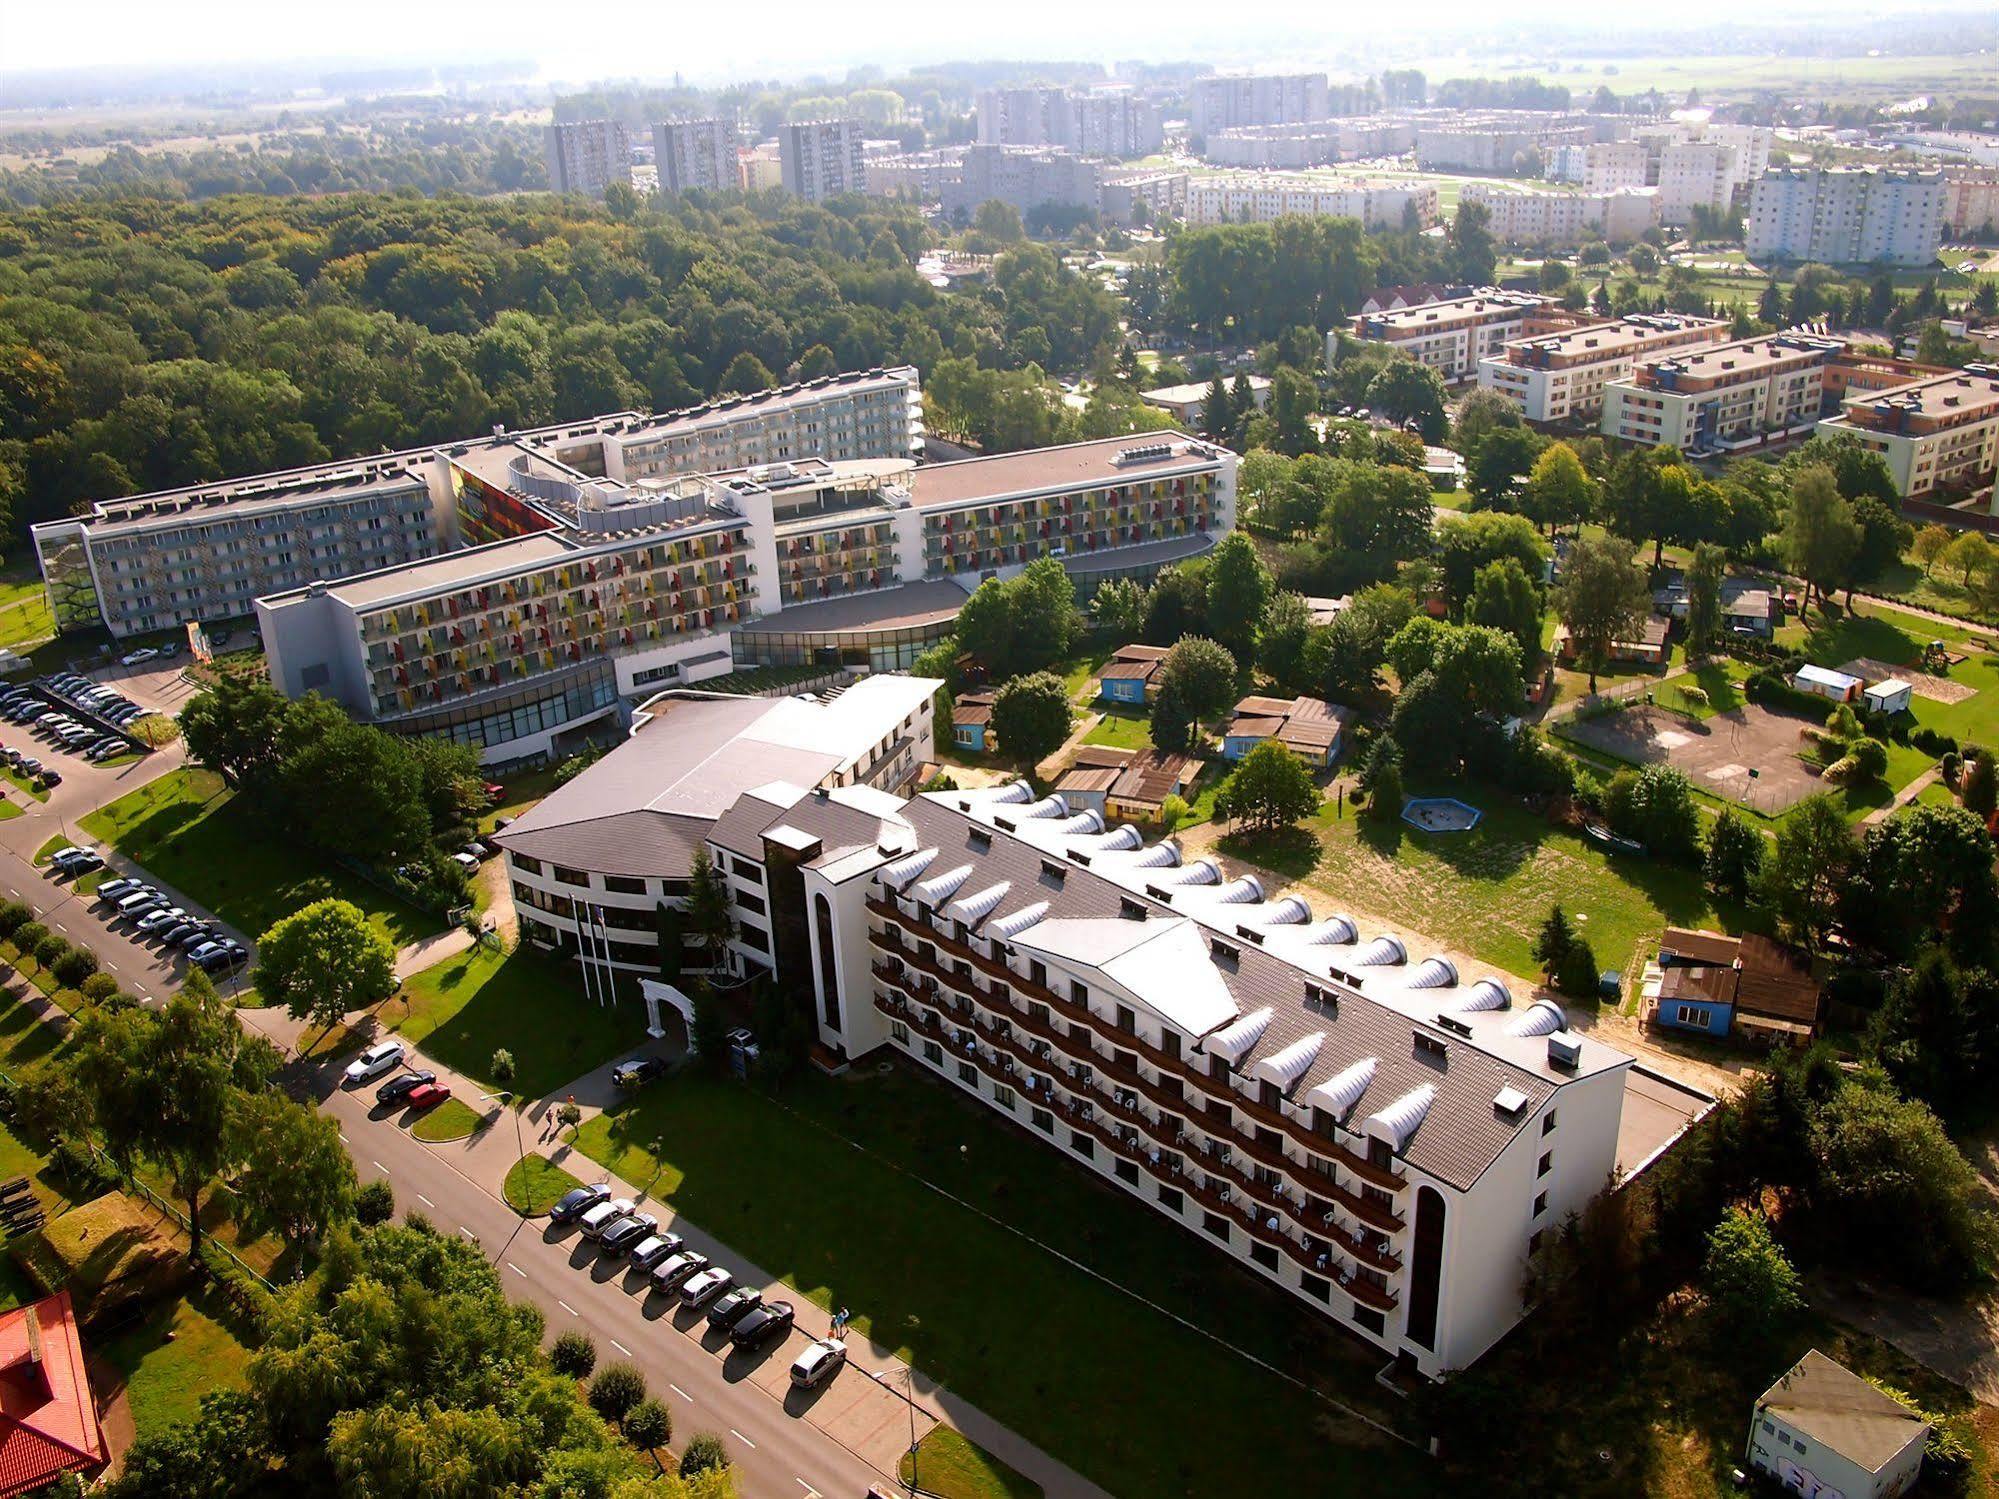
{"x": 189, "y": 830}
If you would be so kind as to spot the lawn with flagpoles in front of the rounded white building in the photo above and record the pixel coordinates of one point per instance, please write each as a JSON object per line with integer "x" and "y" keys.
{"x": 469, "y": 1006}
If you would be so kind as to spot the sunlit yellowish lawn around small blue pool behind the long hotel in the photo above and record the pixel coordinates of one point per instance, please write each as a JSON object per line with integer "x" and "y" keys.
{"x": 1488, "y": 892}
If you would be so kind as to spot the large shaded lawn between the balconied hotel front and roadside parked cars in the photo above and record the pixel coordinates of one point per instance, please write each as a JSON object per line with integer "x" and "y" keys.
{"x": 1030, "y": 1338}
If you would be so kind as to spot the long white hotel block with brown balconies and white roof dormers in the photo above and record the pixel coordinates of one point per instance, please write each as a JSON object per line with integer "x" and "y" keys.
{"x": 1386, "y": 1142}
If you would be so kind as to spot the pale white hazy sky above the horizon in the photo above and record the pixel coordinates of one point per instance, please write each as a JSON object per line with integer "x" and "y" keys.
{"x": 583, "y": 41}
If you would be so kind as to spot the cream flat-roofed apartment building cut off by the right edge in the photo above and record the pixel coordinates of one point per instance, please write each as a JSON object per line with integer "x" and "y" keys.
{"x": 1936, "y": 435}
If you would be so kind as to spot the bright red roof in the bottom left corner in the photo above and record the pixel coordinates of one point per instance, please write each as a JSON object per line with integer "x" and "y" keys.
{"x": 49, "y": 1420}
